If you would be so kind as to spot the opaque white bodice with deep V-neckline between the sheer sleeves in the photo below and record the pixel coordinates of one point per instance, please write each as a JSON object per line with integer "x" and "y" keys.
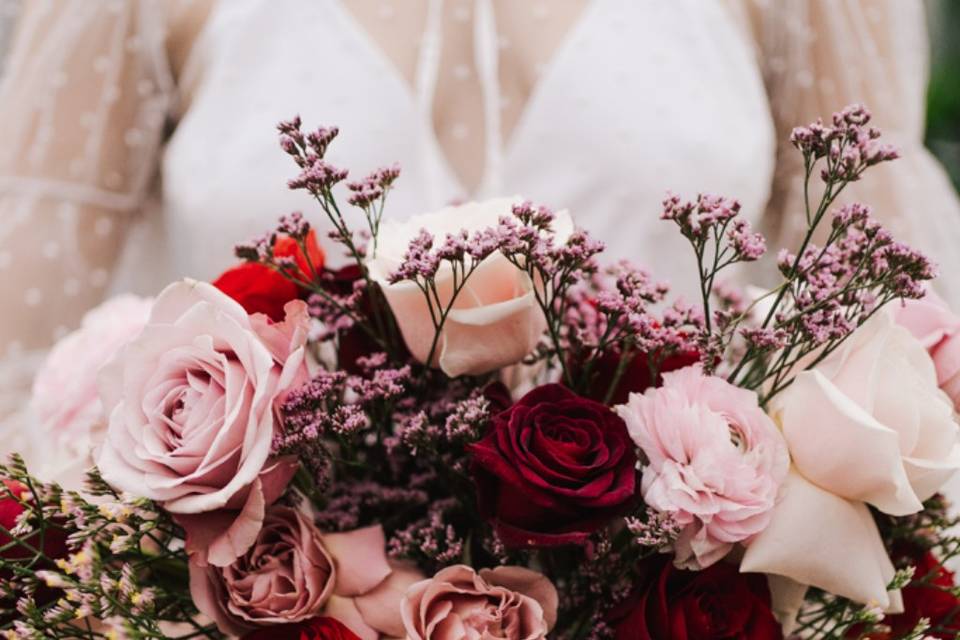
{"x": 638, "y": 97}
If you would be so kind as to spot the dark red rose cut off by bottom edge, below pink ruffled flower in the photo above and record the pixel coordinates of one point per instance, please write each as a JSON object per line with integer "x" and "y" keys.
{"x": 718, "y": 603}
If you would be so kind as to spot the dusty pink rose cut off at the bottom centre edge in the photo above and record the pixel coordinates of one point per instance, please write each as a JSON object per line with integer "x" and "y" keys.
{"x": 506, "y": 603}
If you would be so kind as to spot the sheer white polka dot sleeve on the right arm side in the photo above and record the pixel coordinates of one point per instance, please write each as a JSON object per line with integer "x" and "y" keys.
{"x": 820, "y": 55}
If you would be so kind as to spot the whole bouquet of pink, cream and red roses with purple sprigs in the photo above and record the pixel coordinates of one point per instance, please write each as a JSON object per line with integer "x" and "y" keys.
{"x": 476, "y": 430}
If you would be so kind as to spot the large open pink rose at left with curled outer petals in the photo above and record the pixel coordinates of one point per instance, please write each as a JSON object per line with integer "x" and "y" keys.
{"x": 192, "y": 404}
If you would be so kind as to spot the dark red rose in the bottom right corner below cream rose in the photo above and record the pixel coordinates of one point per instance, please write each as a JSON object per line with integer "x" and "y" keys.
{"x": 926, "y": 597}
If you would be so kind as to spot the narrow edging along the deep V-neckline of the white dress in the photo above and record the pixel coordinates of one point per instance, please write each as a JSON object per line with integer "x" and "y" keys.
{"x": 539, "y": 88}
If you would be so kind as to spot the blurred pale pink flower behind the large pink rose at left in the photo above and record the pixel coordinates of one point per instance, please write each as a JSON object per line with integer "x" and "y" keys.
{"x": 65, "y": 397}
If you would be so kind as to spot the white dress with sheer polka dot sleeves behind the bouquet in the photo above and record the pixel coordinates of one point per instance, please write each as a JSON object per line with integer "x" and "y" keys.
{"x": 118, "y": 173}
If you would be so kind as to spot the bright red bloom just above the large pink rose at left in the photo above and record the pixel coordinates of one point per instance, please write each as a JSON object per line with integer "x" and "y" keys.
{"x": 260, "y": 289}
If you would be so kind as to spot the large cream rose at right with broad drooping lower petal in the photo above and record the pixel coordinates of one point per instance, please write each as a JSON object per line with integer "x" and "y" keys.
{"x": 868, "y": 426}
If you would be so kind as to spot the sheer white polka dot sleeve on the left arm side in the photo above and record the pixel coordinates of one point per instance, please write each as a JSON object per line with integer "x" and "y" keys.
{"x": 82, "y": 108}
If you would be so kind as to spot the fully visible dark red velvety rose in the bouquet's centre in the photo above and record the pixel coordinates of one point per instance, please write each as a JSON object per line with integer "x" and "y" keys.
{"x": 553, "y": 468}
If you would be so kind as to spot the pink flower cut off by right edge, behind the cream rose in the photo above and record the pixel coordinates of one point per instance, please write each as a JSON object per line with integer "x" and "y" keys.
{"x": 932, "y": 322}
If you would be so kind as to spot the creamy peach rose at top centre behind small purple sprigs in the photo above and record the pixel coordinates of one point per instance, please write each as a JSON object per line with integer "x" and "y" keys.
{"x": 495, "y": 320}
